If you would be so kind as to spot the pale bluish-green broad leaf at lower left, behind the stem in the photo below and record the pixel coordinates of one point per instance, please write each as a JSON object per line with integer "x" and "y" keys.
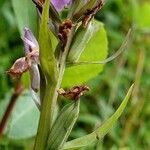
{"x": 24, "y": 120}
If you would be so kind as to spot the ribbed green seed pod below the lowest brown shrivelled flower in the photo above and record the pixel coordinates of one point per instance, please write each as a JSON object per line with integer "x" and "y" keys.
{"x": 63, "y": 126}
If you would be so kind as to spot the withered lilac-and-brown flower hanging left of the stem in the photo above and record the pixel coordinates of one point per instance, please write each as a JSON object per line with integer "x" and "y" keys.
{"x": 29, "y": 62}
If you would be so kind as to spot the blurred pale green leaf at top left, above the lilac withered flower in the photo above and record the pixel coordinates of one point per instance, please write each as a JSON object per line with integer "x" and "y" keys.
{"x": 26, "y": 15}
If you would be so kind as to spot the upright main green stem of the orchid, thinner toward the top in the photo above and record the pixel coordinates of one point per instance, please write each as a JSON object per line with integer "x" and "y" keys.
{"x": 49, "y": 102}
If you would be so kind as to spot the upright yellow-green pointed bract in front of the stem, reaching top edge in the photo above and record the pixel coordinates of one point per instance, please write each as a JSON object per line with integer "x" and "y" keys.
{"x": 47, "y": 58}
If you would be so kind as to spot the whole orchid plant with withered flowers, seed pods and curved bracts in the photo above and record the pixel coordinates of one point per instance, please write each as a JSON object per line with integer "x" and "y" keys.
{"x": 47, "y": 59}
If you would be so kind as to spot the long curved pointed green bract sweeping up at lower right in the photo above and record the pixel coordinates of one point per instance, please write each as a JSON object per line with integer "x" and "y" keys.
{"x": 100, "y": 132}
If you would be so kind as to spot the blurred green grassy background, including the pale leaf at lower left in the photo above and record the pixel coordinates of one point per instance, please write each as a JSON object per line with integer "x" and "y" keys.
{"x": 132, "y": 131}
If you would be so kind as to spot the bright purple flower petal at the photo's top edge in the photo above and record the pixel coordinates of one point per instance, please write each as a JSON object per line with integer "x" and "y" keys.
{"x": 60, "y": 4}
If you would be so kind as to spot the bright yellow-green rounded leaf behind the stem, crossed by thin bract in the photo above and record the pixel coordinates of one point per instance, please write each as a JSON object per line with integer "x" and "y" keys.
{"x": 96, "y": 50}
